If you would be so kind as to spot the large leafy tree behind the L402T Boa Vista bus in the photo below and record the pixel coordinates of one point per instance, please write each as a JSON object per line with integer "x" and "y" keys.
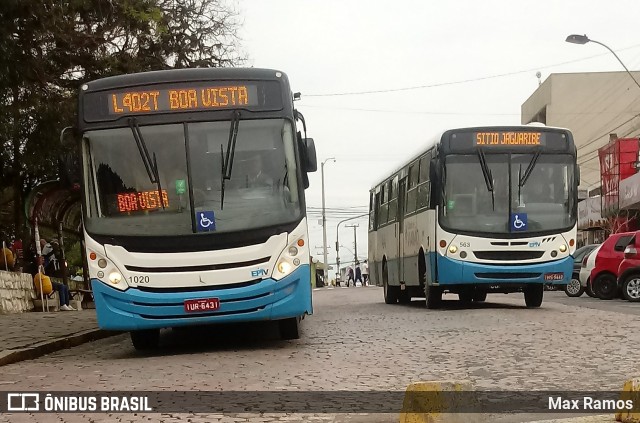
{"x": 48, "y": 48}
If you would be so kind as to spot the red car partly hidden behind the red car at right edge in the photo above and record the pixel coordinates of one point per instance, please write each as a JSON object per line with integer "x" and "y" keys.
{"x": 604, "y": 275}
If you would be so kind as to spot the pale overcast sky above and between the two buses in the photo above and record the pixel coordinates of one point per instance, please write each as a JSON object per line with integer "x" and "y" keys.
{"x": 478, "y": 58}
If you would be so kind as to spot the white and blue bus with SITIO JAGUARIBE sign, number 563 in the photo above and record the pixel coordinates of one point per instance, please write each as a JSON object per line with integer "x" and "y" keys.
{"x": 479, "y": 210}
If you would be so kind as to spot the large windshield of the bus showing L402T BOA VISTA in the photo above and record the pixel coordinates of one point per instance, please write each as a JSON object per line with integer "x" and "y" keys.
{"x": 263, "y": 189}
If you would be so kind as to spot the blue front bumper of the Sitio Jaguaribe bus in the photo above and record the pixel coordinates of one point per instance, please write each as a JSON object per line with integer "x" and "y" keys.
{"x": 454, "y": 272}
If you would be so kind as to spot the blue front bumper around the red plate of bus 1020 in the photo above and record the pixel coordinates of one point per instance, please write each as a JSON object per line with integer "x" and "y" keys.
{"x": 135, "y": 309}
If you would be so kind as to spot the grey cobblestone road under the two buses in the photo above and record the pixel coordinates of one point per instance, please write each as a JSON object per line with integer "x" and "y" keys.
{"x": 356, "y": 342}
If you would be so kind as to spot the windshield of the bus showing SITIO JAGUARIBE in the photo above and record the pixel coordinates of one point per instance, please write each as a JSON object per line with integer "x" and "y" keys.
{"x": 545, "y": 199}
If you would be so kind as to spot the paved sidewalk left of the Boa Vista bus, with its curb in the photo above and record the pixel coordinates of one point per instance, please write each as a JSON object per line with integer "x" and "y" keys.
{"x": 24, "y": 336}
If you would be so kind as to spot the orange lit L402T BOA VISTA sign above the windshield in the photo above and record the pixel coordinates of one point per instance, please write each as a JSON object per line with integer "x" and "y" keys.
{"x": 182, "y": 99}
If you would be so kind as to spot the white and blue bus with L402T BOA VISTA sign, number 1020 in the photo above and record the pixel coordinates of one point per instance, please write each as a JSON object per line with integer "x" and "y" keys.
{"x": 193, "y": 200}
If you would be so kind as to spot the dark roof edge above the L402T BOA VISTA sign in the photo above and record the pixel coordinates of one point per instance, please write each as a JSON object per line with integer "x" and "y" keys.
{"x": 191, "y": 74}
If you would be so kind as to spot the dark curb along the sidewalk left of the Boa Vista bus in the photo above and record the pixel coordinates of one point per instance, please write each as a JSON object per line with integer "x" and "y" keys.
{"x": 47, "y": 347}
